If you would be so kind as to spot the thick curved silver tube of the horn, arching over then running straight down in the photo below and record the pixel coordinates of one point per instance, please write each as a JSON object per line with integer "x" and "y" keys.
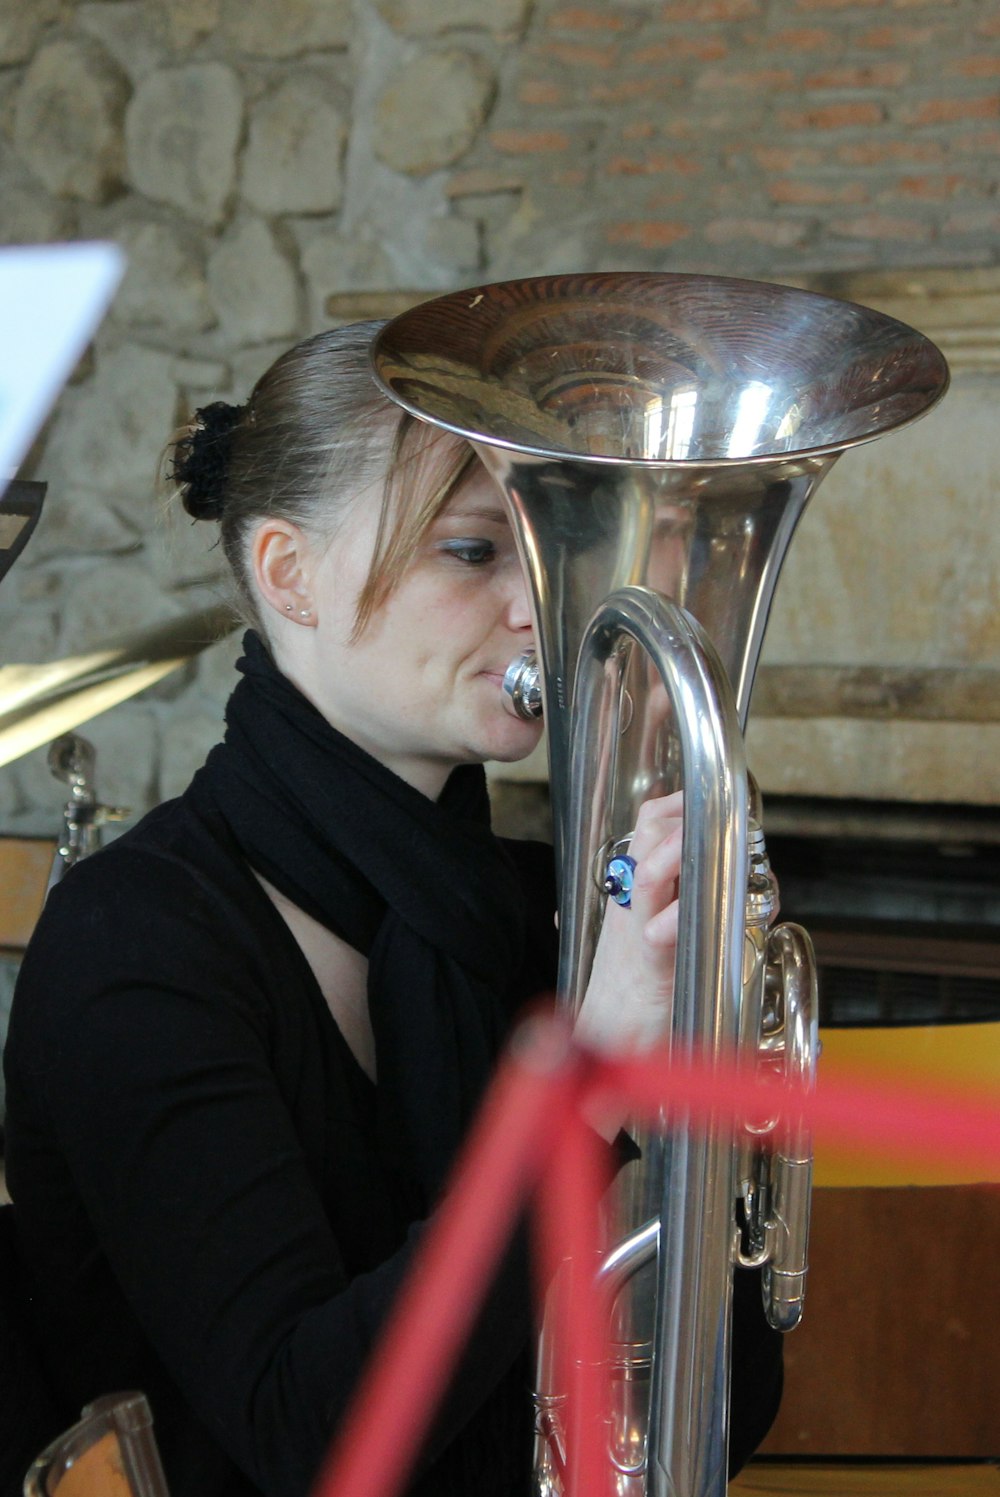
{"x": 697, "y": 1189}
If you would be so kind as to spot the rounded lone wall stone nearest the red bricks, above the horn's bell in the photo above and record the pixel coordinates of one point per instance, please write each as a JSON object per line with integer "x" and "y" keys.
{"x": 432, "y": 112}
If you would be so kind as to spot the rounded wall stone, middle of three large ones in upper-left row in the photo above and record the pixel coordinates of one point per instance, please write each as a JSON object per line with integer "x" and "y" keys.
{"x": 183, "y": 131}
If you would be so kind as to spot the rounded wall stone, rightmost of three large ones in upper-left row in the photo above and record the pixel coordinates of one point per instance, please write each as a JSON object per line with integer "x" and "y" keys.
{"x": 294, "y": 150}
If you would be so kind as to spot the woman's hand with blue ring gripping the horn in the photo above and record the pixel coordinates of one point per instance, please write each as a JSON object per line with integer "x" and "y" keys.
{"x": 631, "y": 992}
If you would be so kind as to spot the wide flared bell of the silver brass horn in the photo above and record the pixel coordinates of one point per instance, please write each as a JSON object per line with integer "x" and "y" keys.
{"x": 655, "y": 429}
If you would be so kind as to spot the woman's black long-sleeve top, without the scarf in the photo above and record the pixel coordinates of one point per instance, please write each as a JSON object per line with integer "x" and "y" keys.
{"x": 197, "y": 1182}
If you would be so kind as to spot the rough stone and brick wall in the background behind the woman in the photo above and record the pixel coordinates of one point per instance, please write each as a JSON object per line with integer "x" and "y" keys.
{"x": 270, "y": 165}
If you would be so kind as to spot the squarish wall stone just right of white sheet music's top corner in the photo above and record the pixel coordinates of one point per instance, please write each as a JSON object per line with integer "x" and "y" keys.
{"x": 165, "y": 281}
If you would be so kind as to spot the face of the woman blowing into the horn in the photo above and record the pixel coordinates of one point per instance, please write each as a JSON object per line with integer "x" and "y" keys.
{"x": 421, "y": 686}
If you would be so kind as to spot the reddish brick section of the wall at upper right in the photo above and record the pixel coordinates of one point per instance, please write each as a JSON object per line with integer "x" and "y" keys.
{"x": 751, "y": 135}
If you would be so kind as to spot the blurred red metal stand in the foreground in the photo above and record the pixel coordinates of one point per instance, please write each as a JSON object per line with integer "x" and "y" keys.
{"x": 531, "y": 1128}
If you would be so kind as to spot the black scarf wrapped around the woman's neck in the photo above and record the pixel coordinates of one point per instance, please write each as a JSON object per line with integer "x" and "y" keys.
{"x": 421, "y": 887}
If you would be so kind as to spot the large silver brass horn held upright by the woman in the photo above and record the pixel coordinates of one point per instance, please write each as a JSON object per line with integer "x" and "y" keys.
{"x": 656, "y": 438}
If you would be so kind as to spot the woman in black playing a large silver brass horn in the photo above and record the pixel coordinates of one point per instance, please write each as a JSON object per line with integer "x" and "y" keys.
{"x": 249, "y": 1037}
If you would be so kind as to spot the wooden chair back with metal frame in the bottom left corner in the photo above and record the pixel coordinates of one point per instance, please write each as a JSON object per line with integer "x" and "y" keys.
{"x": 112, "y": 1453}
